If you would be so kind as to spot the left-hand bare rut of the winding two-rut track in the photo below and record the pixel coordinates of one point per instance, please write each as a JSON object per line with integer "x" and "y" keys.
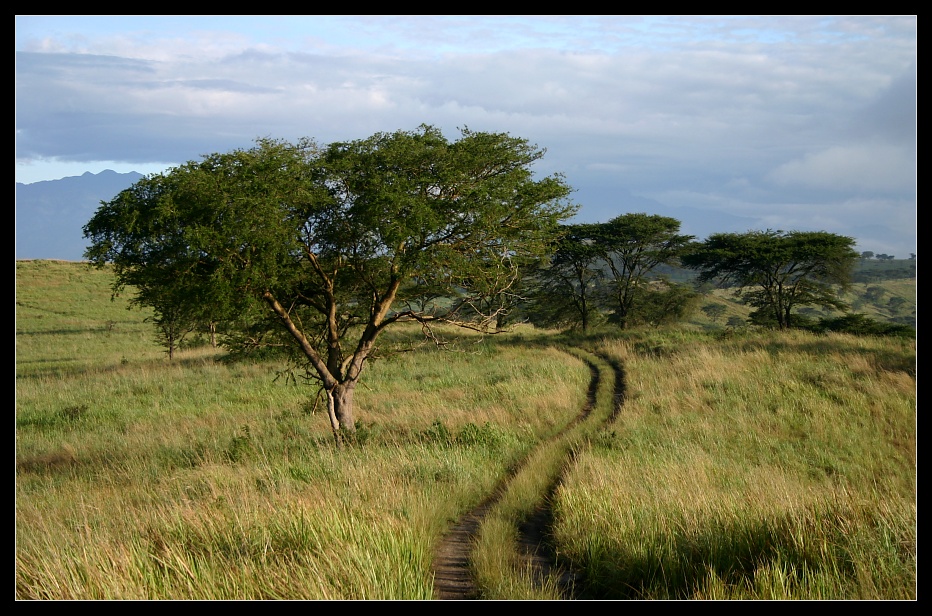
{"x": 453, "y": 576}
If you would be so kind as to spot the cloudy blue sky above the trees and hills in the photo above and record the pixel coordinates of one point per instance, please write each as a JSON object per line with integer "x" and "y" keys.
{"x": 789, "y": 122}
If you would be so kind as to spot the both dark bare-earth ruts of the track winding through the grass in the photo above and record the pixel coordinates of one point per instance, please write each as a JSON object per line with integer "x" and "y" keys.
{"x": 452, "y": 573}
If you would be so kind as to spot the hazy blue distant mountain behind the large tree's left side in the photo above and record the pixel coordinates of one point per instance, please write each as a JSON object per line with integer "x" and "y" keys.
{"x": 51, "y": 214}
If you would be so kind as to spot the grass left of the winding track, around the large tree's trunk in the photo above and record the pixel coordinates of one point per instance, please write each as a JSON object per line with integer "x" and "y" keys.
{"x": 144, "y": 478}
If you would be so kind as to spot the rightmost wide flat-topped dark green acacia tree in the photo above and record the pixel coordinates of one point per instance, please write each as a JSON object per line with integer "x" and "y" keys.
{"x": 776, "y": 271}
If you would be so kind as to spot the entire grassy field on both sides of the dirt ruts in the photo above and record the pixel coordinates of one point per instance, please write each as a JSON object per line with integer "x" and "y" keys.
{"x": 744, "y": 464}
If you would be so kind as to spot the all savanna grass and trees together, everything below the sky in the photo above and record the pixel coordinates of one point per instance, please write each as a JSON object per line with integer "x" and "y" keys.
{"x": 733, "y": 418}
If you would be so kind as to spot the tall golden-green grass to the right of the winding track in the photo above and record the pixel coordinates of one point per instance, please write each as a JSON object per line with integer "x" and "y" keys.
{"x": 757, "y": 466}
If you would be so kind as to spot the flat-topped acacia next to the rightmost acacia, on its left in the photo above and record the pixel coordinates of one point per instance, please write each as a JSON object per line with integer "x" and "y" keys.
{"x": 634, "y": 245}
